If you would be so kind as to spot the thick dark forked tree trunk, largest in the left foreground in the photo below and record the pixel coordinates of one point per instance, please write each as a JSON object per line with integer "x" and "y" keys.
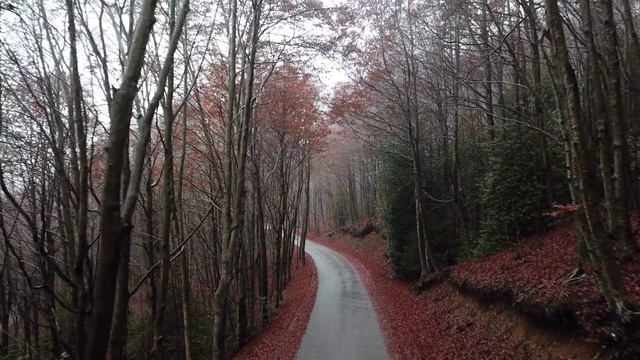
{"x": 115, "y": 220}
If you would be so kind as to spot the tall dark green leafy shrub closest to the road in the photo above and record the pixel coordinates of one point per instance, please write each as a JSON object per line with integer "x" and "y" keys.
{"x": 396, "y": 207}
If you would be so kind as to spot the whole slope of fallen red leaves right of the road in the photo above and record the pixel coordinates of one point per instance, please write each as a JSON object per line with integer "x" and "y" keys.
{"x": 514, "y": 304}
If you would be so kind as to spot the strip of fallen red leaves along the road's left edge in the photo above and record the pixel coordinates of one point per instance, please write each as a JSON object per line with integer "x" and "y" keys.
{"x": 282, "y": 338}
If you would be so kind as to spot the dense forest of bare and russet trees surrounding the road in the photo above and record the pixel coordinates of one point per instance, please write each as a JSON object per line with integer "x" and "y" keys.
{"x": 158, "y": 159}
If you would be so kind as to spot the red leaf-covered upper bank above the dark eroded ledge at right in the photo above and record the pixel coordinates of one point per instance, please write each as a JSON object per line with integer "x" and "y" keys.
{"x": 533, "y": 276}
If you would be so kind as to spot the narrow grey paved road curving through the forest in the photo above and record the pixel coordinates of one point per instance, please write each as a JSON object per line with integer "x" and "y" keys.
{"x": 343, "y": 324}
